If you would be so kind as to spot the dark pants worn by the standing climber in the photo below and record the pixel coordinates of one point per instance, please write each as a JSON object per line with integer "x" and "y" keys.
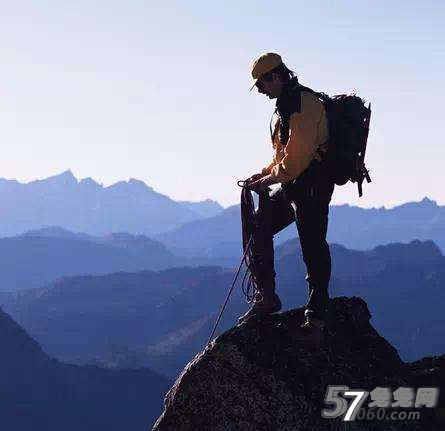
{"x": 306, "y": 202}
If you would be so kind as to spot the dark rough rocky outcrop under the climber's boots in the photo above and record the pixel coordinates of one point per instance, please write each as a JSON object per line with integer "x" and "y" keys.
{"x": 255, "y": 377}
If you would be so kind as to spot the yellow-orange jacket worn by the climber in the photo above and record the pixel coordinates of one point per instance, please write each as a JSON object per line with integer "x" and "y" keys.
{"x": 308, "y": 131}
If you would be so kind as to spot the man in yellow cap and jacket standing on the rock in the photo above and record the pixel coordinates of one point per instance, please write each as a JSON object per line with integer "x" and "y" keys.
{"x": 299, "y": 140}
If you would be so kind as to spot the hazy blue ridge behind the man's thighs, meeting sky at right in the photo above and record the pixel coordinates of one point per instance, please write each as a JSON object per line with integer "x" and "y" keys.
{"x": 217, "y": 239}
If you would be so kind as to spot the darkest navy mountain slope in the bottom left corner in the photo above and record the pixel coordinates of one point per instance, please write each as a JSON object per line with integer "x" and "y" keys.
{"x": 42, "y": 394}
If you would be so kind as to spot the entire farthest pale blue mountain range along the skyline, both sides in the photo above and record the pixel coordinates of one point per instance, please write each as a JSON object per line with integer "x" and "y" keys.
{"x": 203, "y": 230}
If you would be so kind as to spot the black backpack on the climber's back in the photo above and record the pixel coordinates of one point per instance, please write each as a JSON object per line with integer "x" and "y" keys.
{"x": 348, "y": 122}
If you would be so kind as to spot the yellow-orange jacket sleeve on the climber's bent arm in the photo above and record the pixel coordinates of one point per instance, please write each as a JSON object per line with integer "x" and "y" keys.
{"x": 302, "y": 143}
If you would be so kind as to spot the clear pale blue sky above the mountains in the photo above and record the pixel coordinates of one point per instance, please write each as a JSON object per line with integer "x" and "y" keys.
{"x": 159, "y": 90}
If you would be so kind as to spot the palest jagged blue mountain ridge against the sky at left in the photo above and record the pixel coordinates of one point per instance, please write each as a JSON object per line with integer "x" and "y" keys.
{"x": 86, "y": 206}
